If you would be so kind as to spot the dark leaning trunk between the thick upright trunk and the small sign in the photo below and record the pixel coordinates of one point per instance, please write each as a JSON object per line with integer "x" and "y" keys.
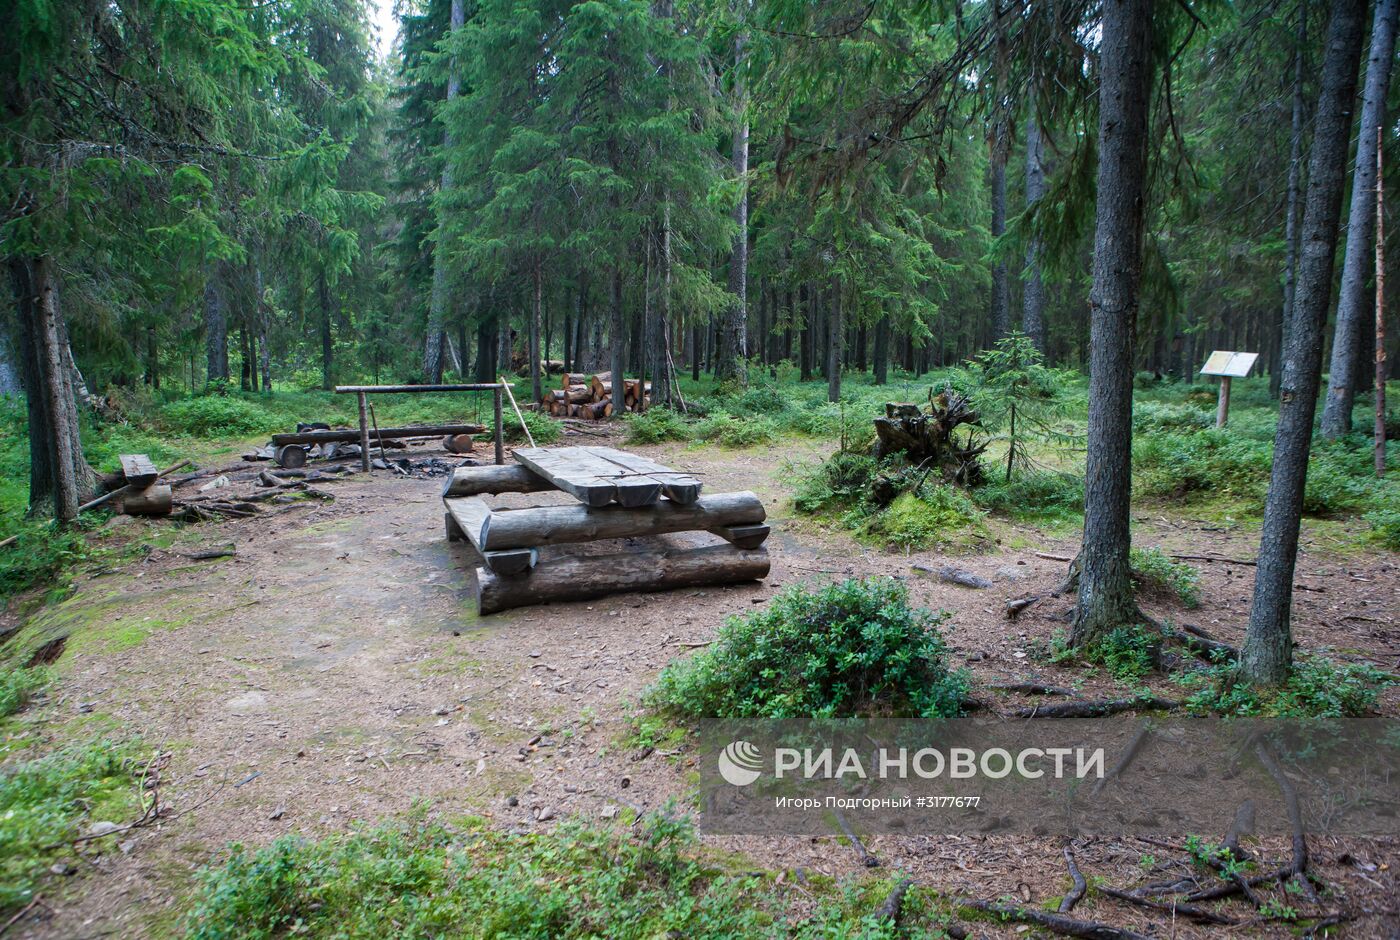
{"x": 1268, "y": 652}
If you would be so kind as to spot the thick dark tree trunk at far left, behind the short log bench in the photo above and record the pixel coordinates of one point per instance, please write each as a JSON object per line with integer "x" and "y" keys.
{"x": 59, "y": 476}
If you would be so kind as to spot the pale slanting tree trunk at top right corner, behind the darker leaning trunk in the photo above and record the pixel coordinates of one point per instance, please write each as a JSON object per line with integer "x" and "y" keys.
{"x": 1354, "y": 303}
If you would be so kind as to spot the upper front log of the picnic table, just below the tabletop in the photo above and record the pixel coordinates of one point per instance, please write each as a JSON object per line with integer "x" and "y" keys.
{"x": 561, "y": 525}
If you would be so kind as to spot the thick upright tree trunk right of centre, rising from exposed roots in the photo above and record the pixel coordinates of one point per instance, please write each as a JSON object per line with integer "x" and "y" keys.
{"x": 1105, "y": 579}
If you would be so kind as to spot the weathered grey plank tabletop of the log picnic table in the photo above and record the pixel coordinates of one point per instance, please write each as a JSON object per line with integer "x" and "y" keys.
{"x": 603, "y": 476}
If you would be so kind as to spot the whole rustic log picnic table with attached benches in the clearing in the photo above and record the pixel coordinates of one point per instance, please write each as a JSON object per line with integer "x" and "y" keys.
{"x": 621, "y": 497}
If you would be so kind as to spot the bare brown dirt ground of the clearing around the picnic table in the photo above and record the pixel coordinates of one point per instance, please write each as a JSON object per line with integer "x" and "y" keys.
{"x": 335, "y": 672}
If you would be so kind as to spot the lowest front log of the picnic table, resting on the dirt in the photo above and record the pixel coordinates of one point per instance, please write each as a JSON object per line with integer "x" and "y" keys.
{"x": 582, "y": 578}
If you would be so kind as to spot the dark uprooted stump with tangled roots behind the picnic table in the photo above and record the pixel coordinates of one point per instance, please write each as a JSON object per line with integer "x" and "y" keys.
{"x": 926, "y": 436}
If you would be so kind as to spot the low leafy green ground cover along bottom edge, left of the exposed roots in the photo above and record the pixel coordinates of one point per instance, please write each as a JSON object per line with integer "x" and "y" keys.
{"x": 422, "y": 879}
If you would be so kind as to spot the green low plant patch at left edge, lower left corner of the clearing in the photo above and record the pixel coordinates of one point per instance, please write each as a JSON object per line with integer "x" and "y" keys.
{"x": 47, "y": 802}
